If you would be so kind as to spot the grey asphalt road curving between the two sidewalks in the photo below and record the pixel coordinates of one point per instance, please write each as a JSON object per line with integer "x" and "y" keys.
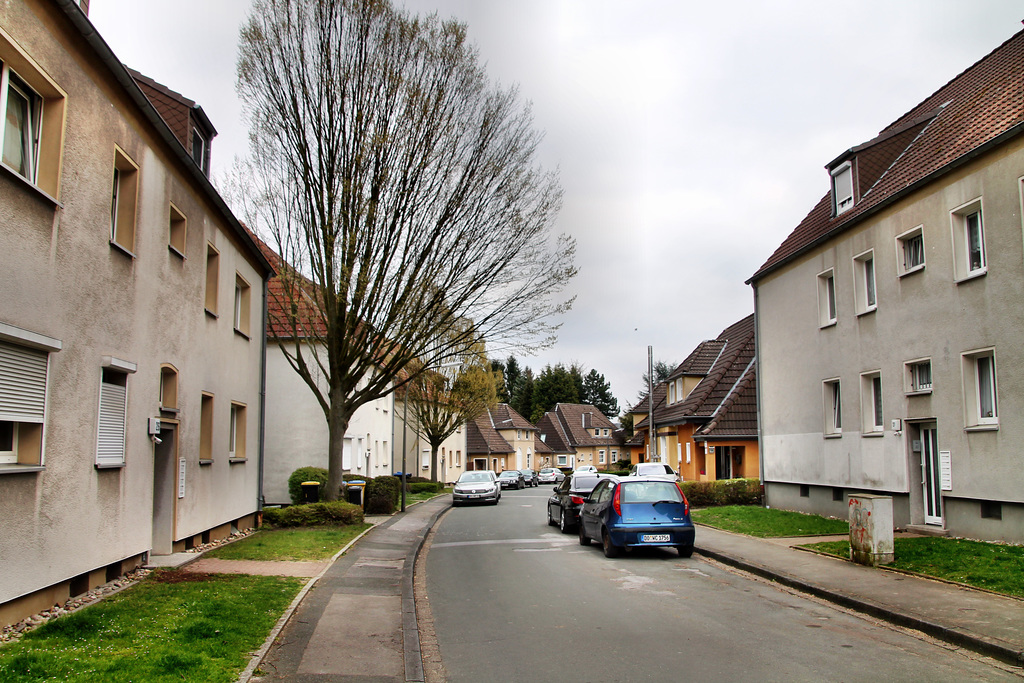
{"x": 514, "y": 600}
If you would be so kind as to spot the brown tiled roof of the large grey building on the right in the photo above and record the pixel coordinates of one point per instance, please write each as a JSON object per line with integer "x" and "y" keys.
{"x": 978, "y": 110}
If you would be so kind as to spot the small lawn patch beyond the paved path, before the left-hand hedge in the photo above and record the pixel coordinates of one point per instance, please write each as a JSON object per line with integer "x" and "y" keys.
{"x": 311, "y": 544}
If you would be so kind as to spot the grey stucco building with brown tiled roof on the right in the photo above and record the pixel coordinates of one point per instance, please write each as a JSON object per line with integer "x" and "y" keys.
{"x": 889, "y": 321}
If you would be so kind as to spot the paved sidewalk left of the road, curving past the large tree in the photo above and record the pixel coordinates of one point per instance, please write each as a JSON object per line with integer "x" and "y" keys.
{"x": 358, "y": 622}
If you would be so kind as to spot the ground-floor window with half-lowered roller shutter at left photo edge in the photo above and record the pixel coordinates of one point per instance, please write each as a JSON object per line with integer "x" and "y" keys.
{"x": 23, "y": 395}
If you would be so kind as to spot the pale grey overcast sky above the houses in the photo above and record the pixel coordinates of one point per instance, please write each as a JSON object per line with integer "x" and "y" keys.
{"x": 691, "y": 139}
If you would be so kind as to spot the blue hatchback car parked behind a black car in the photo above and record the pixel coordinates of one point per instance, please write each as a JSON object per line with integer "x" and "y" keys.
{"x": 635, "y": 513}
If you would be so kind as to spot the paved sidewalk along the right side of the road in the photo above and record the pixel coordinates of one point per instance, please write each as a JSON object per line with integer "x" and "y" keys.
{"x": 983, "y": 622}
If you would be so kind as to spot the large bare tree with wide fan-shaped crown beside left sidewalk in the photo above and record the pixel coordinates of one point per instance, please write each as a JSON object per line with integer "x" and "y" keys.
{"x": 404, "y": 193}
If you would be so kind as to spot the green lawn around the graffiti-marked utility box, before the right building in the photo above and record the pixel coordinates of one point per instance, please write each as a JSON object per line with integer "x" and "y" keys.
{"x": 991, "y": 566}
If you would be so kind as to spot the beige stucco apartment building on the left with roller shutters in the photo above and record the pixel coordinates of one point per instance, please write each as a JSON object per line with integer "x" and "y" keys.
{"x": 131, "y": 328}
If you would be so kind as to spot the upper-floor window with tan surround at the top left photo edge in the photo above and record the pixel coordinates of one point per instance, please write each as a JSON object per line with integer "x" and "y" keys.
{"x": 33, "y": 119}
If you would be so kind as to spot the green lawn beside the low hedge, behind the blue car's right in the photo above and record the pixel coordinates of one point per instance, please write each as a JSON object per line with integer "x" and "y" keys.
{"x": 762, "y": 523}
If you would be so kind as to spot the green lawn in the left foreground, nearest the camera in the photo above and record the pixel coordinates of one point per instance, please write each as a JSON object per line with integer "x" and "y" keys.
{"x": 174, "y": 626}
